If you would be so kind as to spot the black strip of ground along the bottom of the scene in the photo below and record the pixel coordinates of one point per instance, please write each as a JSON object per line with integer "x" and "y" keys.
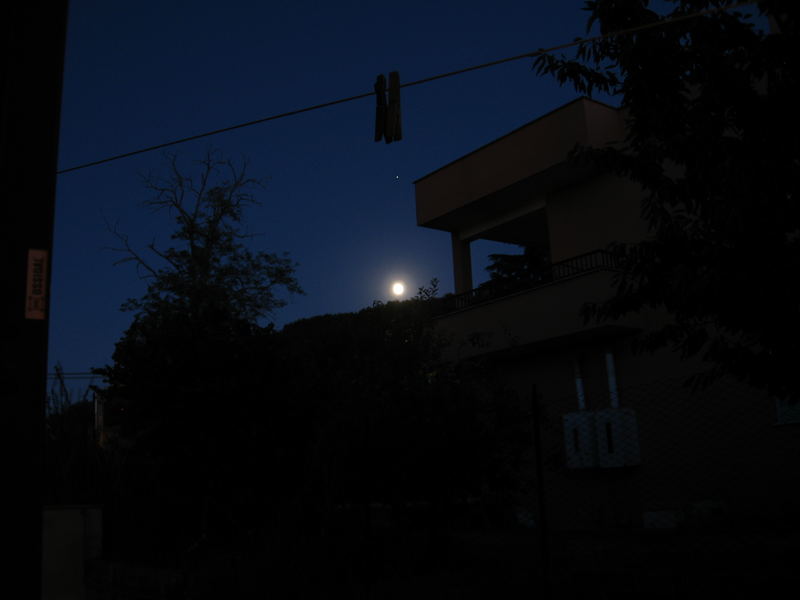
{"x": 468, "y": 565}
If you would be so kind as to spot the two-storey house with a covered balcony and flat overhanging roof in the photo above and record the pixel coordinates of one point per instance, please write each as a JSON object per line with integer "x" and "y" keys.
{"x": 625, "y": 445}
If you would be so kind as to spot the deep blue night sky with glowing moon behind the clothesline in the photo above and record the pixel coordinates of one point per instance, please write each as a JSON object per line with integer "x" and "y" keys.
{"x": 140, "y": 73}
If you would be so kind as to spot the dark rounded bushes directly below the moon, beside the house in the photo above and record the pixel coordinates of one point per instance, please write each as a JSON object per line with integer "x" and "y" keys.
{"x": 393, "y": 422}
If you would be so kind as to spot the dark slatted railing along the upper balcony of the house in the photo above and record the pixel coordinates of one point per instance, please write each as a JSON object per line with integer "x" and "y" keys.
{"x": 583, "y": 264}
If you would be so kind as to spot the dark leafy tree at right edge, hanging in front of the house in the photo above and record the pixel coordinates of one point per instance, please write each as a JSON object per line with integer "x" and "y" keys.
{"x": 714, "y": 142}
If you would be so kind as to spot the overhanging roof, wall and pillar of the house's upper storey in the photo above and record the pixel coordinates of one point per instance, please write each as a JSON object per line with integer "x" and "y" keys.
{"x": 523, "y": 189}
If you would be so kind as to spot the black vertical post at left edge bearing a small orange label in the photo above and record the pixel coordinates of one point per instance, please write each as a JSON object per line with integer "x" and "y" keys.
{"x": 32, "y": 36}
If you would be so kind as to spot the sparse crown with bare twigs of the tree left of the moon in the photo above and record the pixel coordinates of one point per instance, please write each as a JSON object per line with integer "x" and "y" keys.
{"x": 209, "y": 268}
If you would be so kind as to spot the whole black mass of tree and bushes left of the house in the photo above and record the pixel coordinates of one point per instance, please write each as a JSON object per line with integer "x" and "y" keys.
{"x": 227, "y": 434}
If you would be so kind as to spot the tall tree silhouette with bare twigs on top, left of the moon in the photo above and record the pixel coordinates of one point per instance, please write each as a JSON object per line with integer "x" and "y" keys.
{"x": 184, "y": 391}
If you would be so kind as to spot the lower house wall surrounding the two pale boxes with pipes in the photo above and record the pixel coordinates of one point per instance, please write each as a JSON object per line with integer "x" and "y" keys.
{"x": 712, "y": 458}
